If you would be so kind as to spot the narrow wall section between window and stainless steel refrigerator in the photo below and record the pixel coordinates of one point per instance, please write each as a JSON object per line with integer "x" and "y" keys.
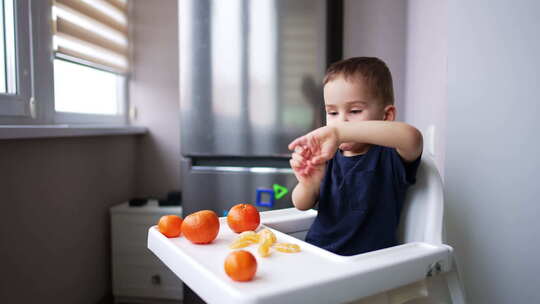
{"x": 154, "y": 91}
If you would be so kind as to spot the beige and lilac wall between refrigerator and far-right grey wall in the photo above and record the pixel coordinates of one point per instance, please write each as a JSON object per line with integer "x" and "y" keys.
{"x": 411, "y": 37}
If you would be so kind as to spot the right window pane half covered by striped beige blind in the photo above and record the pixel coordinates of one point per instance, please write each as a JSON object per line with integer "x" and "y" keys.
{"x": 91, "y": 46}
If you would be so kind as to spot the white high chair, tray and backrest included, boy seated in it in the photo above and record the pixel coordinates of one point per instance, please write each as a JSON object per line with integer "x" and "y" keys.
{"x": 420, "y": 270}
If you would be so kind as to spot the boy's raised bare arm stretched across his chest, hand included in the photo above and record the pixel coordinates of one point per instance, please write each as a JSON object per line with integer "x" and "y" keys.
{"x": 406, "y": 139}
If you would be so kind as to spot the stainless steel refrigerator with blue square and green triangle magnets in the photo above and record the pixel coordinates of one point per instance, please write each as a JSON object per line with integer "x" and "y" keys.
{"x": 251, "y": 76}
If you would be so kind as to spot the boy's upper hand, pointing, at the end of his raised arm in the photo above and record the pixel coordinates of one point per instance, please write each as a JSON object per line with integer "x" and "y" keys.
{"x": 322, "y": 144}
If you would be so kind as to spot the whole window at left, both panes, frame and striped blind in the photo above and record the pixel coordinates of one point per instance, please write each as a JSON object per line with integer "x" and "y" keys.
{"x": 81, "y": 79}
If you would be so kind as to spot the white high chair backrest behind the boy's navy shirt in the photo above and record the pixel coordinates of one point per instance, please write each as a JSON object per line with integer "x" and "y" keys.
{"x": 422, "y": 214}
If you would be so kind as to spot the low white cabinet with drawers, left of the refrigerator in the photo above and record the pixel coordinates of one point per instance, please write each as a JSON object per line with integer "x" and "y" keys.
{"x": 137, "y": 274}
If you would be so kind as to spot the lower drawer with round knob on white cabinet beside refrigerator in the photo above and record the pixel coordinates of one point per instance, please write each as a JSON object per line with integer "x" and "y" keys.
{"x": 146, "y": 281}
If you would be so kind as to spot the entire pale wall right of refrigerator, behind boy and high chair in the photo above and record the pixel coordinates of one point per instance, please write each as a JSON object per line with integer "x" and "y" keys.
{"x": 469, "y": 69}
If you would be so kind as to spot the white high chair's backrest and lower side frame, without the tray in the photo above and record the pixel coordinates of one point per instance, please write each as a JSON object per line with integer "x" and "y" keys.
{"x": 422, "y": 220}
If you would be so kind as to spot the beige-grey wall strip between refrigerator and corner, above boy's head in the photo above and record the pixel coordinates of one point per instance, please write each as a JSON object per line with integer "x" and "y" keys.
{"x": 378, "y": 29}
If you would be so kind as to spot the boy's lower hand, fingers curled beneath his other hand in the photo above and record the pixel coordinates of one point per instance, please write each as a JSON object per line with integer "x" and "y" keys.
{"x": 306, "y": 173}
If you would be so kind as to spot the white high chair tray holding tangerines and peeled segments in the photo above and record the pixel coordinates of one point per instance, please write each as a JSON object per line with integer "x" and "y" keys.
{"x": 313, "y": 275}
